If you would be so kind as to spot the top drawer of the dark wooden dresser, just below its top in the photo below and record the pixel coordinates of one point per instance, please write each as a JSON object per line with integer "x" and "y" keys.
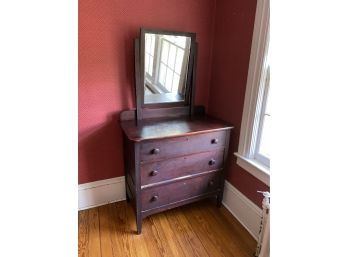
{"x": 179, "y": 146}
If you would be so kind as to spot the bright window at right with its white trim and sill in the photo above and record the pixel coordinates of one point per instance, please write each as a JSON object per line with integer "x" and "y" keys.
{"x": 254, "y": 142}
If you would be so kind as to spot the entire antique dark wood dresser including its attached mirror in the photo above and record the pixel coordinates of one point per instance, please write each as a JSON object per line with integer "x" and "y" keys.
{"x": 174, "y": 154}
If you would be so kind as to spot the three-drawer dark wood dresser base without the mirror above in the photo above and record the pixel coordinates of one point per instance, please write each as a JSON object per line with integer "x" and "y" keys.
{"x": 171, "y": 162}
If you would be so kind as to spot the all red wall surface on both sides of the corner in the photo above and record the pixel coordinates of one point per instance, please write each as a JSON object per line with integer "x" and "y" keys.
{"x": 106, "y": 72}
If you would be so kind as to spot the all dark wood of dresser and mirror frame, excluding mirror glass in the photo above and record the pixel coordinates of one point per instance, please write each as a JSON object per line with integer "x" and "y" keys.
{"x": 155, "y": 136}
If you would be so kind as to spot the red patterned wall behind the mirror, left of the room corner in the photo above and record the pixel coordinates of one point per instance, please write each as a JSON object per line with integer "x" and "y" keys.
{"x": 106, "y": 69}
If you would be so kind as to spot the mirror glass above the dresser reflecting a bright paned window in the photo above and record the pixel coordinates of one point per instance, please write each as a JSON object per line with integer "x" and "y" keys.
{"x": 166, "y": 65}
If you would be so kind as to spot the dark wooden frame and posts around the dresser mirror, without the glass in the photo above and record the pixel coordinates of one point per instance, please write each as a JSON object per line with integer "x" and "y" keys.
{"x": 174, "y": 109}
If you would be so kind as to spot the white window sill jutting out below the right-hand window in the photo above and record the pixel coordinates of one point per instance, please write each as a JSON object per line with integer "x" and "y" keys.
{"x": 255, "y": 168}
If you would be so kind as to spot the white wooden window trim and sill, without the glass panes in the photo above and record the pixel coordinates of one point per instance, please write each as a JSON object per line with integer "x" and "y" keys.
{"x": 252, "y": 103}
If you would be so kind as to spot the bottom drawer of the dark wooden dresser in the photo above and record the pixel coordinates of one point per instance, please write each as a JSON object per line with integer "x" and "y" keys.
{"x": 165, "y": 194}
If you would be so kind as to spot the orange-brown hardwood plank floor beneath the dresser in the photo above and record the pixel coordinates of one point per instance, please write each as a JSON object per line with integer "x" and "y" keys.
{"x": 199, "y": 229}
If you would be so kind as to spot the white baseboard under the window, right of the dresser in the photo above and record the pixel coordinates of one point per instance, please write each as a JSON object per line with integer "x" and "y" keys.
{"x": 244, "y": 210}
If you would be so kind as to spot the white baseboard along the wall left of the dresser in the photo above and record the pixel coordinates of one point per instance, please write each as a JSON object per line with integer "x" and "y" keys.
{"x": 101, "y": 192}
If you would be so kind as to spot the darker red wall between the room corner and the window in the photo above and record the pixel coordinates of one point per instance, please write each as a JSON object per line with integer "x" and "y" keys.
{"x": 234, "y": 26}
